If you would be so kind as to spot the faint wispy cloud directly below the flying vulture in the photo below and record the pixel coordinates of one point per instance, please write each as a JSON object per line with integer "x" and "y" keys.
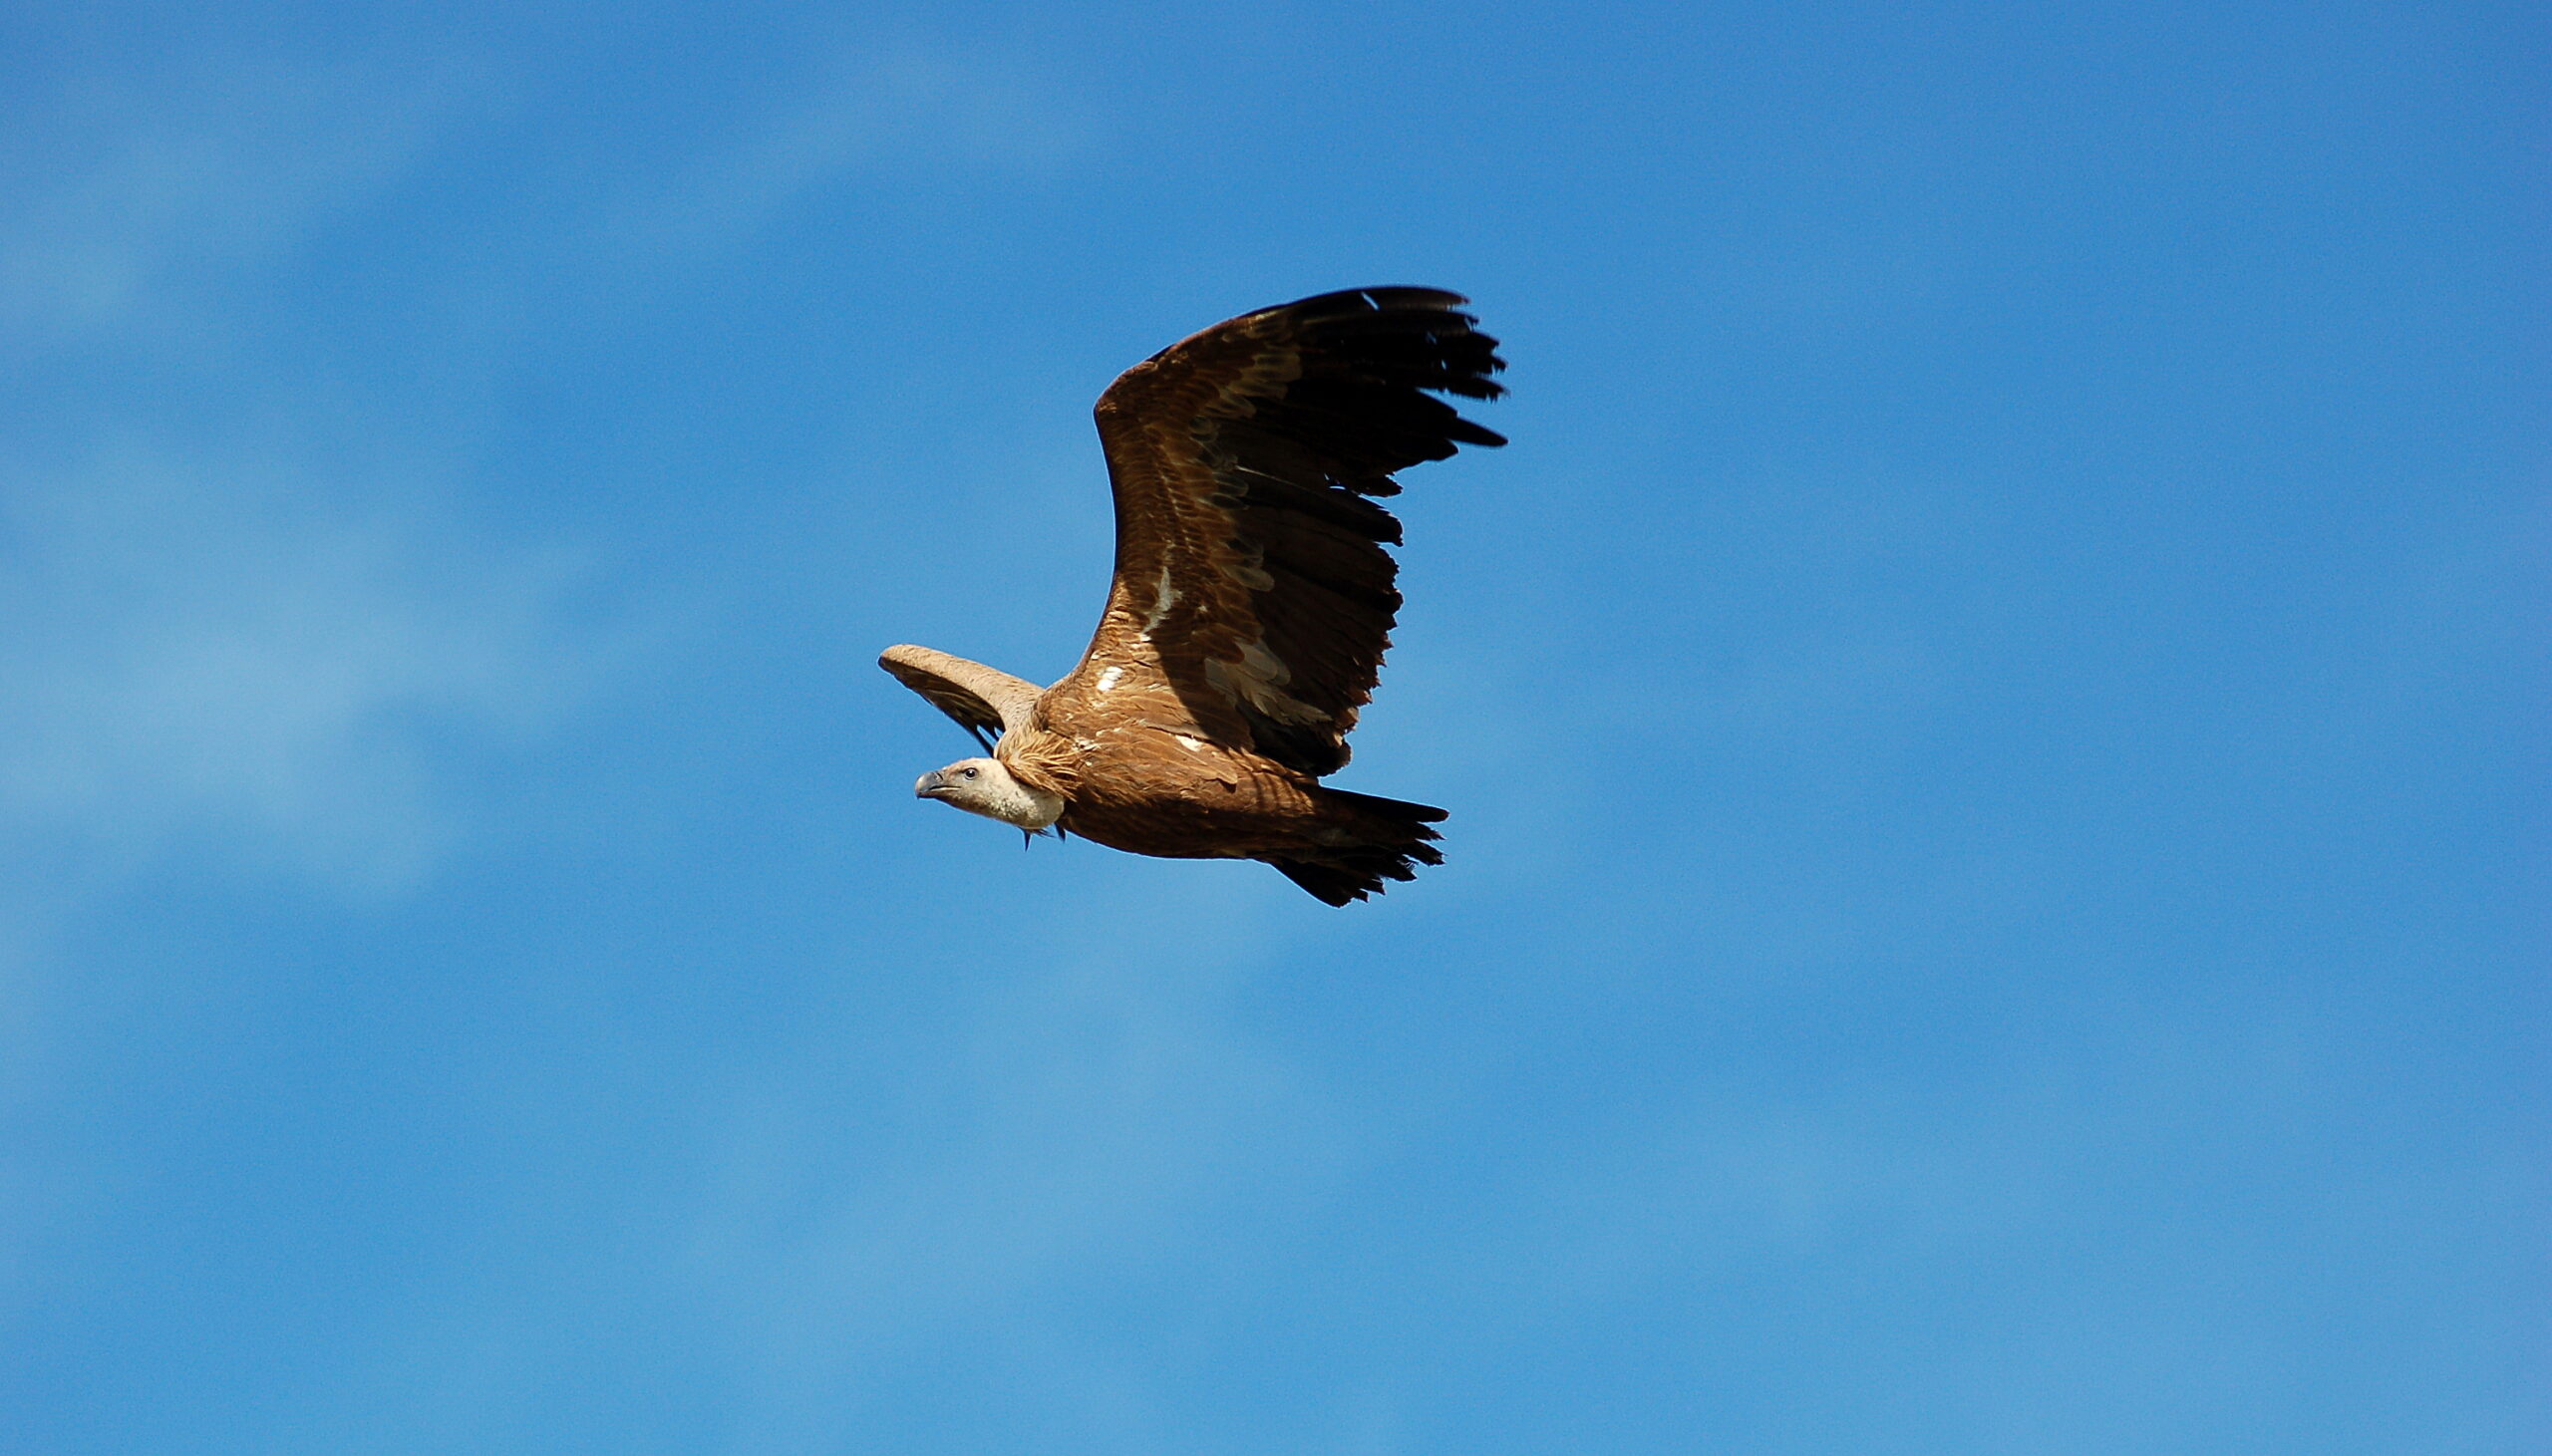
{"x": 1101, "y": 1110}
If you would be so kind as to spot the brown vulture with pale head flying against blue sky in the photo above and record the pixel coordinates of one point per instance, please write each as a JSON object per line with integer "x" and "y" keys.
{"x": 1252, "y": 601}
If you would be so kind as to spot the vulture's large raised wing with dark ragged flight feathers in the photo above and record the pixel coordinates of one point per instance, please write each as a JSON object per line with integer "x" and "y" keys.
{"x": 1252, "y": 575}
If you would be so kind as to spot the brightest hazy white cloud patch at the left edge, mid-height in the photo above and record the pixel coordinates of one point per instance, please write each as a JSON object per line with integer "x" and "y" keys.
{"x": 213, "y": 652}
